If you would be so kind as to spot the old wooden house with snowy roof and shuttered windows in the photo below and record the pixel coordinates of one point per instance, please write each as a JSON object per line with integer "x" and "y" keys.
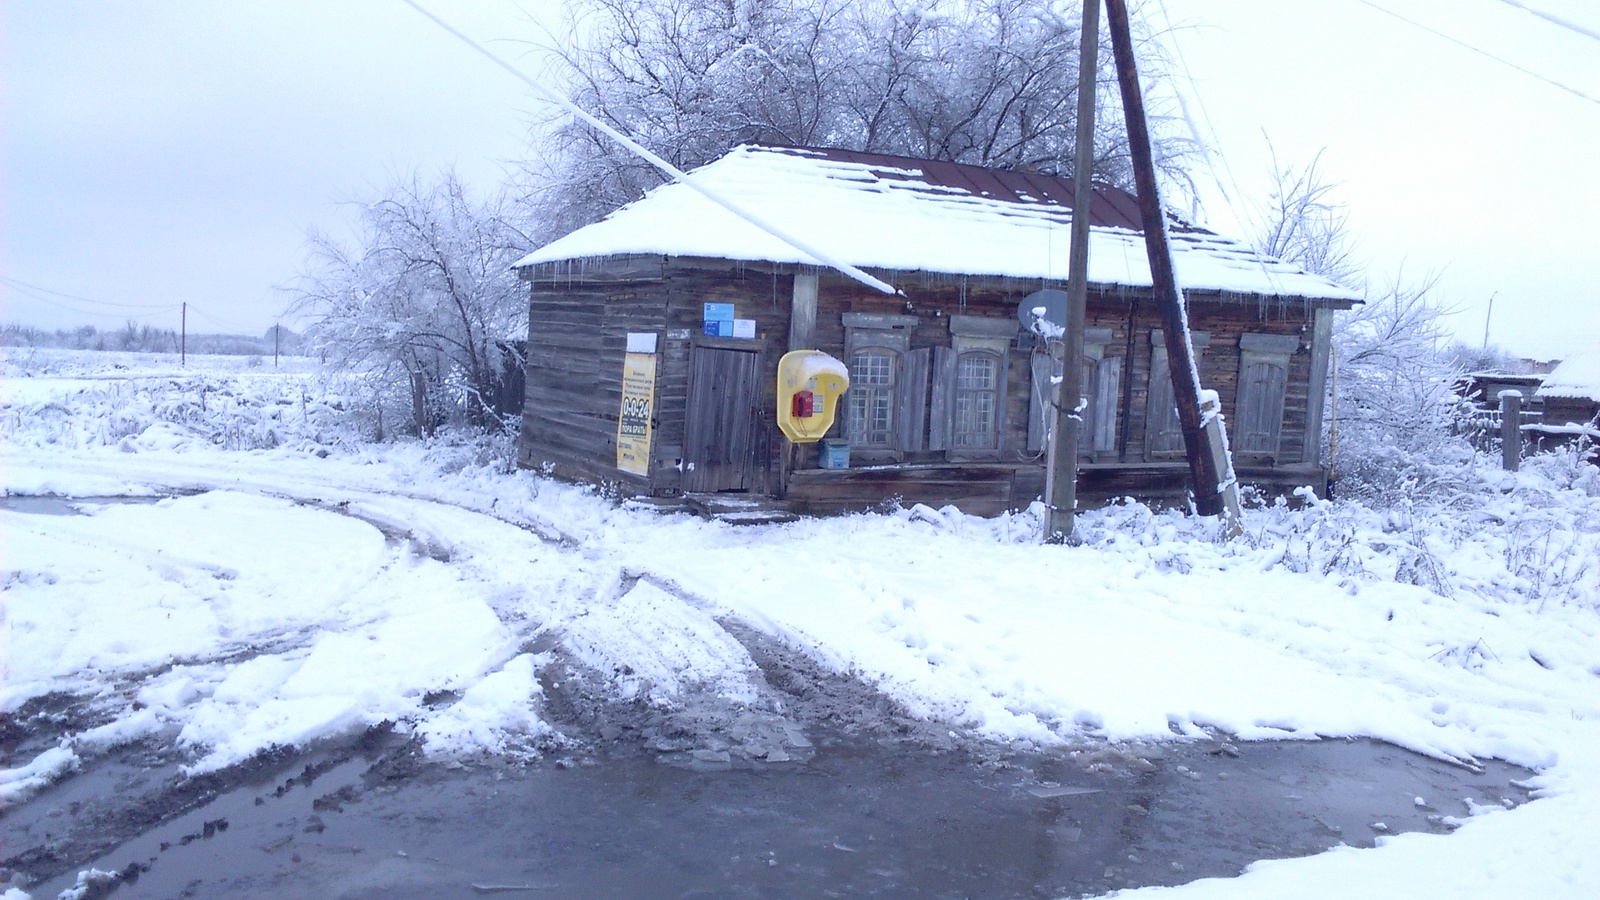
{"x": 948, "y": 388}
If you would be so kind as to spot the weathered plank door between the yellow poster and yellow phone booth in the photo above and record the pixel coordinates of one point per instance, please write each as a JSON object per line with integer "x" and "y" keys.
{"x": 724, "y": 440}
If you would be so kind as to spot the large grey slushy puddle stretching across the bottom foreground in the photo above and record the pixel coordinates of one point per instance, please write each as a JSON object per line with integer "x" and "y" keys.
{"x": 858, "y": 821}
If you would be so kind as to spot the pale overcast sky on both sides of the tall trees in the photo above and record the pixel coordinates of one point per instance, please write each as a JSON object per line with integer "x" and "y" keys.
{"x": 164, "y": 151}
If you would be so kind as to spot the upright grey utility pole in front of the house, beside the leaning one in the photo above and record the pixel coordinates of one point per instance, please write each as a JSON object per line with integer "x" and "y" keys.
{"x": 1062, "y": 491}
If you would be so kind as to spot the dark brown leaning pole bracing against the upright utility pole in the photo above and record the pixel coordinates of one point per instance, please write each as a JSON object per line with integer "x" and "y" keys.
{"x": 1204, "y": 467}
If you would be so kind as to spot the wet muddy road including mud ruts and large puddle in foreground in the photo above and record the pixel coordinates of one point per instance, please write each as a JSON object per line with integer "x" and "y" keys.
{"x": 841, "y": 797}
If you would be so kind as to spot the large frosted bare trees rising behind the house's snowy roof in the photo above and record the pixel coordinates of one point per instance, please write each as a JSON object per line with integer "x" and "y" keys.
{"x": 986, "y": 82}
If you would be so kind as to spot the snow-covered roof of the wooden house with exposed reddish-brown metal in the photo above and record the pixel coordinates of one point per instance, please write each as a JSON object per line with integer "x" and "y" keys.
{"x": 905, "y": 215}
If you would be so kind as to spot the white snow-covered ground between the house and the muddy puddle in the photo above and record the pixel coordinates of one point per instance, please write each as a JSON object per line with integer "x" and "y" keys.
{"x": 289, "y": 582}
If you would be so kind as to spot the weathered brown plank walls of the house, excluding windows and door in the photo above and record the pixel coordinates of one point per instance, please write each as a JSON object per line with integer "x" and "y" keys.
{"x": 578, "y": 337}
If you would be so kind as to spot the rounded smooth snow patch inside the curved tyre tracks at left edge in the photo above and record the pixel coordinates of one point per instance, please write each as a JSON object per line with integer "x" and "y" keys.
{"x": 132, "y": 587}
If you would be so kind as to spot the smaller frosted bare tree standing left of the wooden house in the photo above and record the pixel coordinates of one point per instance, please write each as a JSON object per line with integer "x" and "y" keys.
{"x": 425, "y": 300}
